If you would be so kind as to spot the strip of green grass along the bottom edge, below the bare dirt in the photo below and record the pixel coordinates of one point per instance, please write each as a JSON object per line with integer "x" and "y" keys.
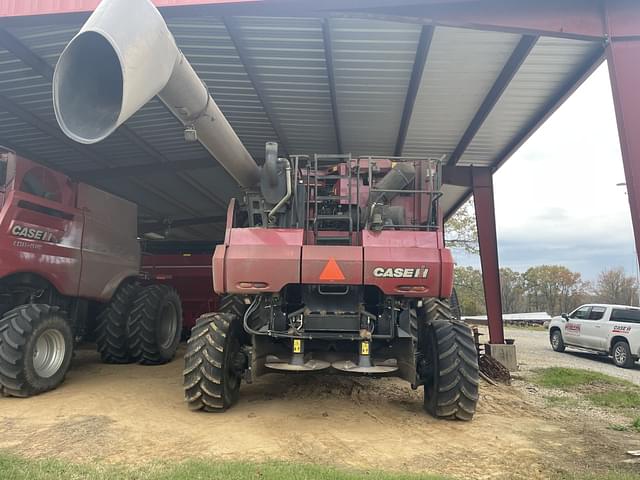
{"x": 16, "y": 468}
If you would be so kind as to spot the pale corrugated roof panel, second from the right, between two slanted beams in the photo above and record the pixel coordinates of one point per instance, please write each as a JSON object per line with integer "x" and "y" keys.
{"x": 462, "y": 66}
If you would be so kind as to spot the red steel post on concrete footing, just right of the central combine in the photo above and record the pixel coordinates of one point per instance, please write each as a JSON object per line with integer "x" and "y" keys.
{"x": 482, "y": 181}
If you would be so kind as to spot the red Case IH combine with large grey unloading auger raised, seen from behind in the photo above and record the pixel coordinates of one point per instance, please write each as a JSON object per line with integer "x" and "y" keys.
{"x": 329, "y": 263}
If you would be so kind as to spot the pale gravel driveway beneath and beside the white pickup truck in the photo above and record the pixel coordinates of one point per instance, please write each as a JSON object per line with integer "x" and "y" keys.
{"x": 534, "y": 351}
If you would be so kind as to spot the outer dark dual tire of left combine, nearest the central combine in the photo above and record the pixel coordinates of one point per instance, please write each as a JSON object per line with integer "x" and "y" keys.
{"x": 154, "y": 325}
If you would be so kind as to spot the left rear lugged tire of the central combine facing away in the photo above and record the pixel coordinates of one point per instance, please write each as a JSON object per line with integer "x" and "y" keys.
{"x": 214, "y": 363}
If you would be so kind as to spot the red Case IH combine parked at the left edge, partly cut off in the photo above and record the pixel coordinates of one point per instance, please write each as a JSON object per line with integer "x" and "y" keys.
{"x": 69, "y": 254}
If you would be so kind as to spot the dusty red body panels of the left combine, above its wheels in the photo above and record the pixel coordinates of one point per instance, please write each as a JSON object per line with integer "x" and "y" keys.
{"x": 76, "y": 237}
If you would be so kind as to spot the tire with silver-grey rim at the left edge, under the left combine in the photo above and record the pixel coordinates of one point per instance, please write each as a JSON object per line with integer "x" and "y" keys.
{"x": 36, "y": 347}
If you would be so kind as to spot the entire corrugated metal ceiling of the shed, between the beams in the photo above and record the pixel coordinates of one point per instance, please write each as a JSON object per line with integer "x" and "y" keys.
{"x": 287, "y": 60}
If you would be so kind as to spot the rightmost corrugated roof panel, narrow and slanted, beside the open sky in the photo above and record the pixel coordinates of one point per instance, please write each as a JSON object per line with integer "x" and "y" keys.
{"x": 547, "y": 69}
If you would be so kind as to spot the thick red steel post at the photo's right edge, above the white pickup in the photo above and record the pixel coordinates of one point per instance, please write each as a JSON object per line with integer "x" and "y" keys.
{"x": 623, "y": 58}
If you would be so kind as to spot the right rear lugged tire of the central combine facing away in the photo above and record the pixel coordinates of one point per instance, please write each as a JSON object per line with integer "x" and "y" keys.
{"x": 449, "y": 363}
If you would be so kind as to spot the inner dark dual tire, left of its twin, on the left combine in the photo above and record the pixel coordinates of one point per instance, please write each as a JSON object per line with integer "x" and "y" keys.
{"x": 112, "y": 325}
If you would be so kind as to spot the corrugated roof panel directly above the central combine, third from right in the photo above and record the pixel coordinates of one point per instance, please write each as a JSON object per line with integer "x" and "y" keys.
{"x": 373, "y": 61}
